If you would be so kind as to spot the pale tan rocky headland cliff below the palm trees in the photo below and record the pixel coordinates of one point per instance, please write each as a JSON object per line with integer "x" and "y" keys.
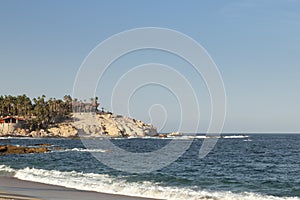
{"x": 89, "y": 124}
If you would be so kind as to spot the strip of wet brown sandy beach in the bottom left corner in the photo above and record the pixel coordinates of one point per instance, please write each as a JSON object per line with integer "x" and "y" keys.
{"x": 12, "y": 188}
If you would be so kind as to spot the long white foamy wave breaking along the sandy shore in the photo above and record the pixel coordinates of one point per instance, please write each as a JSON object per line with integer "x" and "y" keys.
{"x": 108, "y": 184}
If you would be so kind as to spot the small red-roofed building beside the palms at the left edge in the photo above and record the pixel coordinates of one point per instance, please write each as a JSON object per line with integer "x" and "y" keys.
{"x": 9, "y": 124}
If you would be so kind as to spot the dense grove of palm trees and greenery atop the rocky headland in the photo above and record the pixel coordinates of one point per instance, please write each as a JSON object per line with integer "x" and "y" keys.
{"x": 40, "y": 113}
